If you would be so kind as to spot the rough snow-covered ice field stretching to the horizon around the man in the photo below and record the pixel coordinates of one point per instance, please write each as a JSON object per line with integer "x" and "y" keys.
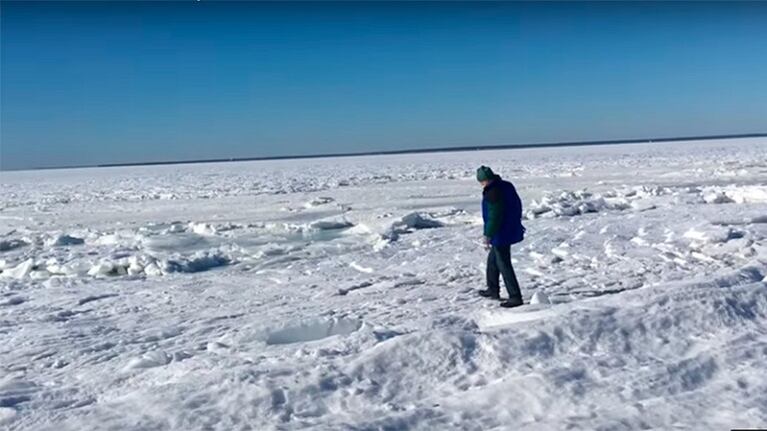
{"x": 341, "y": 293}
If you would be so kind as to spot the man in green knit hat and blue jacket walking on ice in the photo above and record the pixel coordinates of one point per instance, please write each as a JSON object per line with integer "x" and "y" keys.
{"x": 502, "y": 214}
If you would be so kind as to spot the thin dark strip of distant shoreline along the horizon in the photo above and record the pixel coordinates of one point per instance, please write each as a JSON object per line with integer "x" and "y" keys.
{"x": 415, "y": 151}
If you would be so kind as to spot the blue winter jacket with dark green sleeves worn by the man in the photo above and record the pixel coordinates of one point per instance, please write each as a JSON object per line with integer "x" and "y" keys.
{"x": 502, "y": 213}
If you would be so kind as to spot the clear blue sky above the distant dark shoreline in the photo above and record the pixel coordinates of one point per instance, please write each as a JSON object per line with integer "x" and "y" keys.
{"x": 103, "y": 82}
